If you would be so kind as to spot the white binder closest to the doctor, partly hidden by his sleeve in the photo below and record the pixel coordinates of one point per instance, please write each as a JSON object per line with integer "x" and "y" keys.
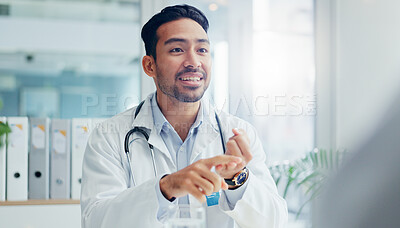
{"x": 80, "y": 134}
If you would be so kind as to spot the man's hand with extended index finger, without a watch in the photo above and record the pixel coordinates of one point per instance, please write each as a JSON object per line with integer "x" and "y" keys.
{"x": 197, "y": 179}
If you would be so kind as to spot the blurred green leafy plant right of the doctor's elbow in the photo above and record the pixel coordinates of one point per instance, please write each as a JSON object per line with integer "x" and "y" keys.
{"x": 308, "y": 173}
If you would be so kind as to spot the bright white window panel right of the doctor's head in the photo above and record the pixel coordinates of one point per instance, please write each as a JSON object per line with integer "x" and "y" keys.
{"x": 284, "y": 76}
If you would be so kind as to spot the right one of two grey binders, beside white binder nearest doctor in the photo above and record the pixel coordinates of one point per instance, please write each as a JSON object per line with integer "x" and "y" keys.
{"x": 60, "y": 164}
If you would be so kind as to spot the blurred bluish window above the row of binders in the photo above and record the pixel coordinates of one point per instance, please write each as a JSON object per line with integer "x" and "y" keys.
{"x": 69, "y": 59}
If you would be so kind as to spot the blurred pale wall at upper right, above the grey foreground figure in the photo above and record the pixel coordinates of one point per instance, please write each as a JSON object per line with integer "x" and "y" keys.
{"x": 358, "y": 70}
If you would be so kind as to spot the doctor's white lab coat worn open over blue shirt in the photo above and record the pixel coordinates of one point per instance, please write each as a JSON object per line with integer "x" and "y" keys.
{"x": 108, "y": 198}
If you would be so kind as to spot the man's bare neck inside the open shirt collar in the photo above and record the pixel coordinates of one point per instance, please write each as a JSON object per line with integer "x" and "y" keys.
{"x": 181, "y": 115}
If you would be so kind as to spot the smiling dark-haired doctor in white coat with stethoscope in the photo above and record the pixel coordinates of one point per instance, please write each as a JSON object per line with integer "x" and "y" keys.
{"x": 186, "y": 139}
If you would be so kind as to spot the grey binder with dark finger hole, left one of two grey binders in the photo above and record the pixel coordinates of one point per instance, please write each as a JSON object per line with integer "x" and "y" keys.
{"x": 39, "y": 156}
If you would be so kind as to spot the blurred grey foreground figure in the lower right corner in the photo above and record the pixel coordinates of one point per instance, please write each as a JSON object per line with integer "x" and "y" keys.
{"x": 366, "y": 192}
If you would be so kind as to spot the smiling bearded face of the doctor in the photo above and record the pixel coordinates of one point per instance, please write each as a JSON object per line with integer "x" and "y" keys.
{"x": 183, "y": 62}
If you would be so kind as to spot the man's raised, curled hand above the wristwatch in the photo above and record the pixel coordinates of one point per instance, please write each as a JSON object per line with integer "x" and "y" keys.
{"x": 239, "y": 146}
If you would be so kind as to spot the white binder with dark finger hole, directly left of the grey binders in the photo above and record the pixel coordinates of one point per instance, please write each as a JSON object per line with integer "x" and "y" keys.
{"x": 17, "y": 159}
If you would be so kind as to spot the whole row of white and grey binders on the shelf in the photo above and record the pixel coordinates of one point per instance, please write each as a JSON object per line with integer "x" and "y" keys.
{"x": 43, "y": 158}
